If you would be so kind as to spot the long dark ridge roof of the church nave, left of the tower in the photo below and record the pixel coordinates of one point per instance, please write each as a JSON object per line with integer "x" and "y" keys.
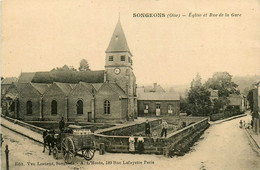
{"x": 69, "y": 77}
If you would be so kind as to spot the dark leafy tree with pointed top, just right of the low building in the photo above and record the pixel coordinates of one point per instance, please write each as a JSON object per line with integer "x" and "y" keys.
{"x": 199, "y": 103}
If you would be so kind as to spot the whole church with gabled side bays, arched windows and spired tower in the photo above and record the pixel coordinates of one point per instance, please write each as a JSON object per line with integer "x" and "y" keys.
{"x": 107, "y": 95}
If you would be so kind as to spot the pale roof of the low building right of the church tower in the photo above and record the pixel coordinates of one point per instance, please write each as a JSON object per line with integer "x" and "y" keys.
{"x": 157, "y": 96}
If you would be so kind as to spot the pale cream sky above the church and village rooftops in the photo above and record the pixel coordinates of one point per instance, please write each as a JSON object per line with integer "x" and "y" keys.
{"x": 39, "y": 35}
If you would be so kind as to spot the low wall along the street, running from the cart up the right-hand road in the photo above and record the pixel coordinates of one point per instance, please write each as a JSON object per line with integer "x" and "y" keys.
{"x": 120, "y": 144}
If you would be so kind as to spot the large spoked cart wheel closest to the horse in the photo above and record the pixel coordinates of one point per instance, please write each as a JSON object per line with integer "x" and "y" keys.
{"x": 68, "y": 150}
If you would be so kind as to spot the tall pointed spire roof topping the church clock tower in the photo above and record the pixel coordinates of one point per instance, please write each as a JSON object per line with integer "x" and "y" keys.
{"x": 118, "y": 41}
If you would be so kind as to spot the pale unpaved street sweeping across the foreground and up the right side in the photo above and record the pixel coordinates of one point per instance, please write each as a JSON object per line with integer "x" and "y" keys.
{"x": 222, "y": 146}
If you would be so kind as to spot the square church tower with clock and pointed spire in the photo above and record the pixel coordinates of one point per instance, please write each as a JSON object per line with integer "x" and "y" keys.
{"x": 119, "y": 69}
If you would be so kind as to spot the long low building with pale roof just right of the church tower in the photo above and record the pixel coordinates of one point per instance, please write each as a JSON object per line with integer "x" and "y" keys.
{"x": 157, "y": 103}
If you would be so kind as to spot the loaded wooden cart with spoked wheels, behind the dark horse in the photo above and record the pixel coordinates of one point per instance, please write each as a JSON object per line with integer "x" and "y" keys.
{"x": 70, "y": 142}
